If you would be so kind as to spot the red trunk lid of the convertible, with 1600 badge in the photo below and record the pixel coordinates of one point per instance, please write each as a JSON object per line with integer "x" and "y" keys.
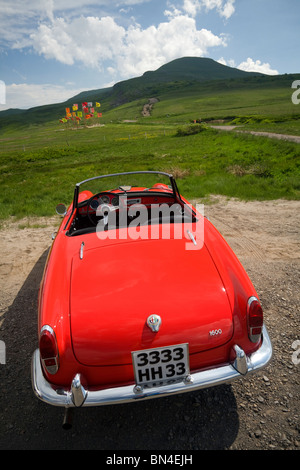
{"x": 114, "y": 289}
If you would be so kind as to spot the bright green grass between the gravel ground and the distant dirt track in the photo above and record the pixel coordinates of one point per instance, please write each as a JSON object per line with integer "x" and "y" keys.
{"x": 40, "y": 166}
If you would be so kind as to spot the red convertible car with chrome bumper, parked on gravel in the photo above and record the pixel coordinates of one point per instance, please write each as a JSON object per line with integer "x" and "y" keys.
{"x": 141, "y": 297}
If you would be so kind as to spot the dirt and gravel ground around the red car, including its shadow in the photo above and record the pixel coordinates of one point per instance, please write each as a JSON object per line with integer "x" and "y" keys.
{"x": 259, "y": 412}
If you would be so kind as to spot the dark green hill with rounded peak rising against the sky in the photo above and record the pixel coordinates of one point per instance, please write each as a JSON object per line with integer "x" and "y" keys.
{"x": 189, "y": 77}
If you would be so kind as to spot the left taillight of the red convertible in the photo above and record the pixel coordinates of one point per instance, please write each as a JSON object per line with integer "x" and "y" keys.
{"x": 48, "y": 349}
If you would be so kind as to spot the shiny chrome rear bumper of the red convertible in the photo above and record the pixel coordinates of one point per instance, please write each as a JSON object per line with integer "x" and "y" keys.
{"x": 78, "y": 395}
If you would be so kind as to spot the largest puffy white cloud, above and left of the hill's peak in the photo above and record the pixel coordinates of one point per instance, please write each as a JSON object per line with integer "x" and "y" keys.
{"x": 93, "y": 41}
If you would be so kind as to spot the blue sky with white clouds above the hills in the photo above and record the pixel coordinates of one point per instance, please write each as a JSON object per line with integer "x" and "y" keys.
{"x": 50, "y": 49}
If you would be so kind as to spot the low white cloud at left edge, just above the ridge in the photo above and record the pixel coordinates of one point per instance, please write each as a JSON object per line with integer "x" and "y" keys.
{"x": 28, "y": 96}
